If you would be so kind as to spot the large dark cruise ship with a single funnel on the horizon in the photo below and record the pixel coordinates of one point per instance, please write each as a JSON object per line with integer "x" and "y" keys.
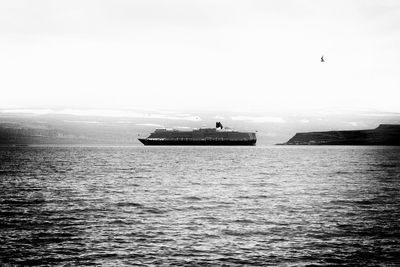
{"x": 217, "y": 136}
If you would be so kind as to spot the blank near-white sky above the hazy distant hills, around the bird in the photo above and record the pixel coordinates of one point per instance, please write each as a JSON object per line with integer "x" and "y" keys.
{"x": 200, "y": 55}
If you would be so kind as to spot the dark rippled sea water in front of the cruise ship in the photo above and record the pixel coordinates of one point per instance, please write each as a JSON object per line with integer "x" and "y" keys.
{"x": 291, "y": 206}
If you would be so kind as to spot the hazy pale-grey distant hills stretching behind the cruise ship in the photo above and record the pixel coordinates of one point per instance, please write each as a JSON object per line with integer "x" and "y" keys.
{"x": 124, "y": 127}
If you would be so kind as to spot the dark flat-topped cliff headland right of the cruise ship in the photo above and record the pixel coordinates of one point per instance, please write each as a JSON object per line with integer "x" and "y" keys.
{"x": 385, "y": 134}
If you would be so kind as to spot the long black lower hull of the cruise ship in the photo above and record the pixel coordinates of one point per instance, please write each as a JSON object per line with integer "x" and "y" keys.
{"x": 153, "y": 142}
